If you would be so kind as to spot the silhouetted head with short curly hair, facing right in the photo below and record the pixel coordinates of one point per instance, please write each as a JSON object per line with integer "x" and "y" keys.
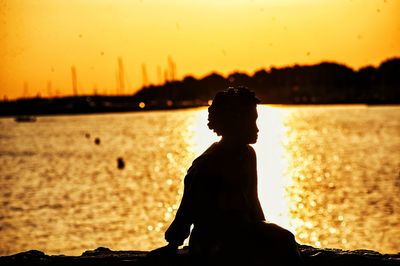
{"x": 233, "y": 115}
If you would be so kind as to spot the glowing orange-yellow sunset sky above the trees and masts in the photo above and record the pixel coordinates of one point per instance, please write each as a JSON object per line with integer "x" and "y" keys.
{"x": 41, "y": 39}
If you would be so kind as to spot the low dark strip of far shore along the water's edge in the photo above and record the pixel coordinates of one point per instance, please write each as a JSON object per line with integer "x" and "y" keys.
{"x": 97, "y": 104}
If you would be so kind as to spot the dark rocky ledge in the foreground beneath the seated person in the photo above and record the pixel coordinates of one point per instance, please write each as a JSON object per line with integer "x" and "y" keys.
{"x": 104, "y": 256}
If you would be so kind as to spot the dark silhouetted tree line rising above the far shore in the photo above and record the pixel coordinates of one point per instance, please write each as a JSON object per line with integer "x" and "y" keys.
{"x": 321, "y": 83}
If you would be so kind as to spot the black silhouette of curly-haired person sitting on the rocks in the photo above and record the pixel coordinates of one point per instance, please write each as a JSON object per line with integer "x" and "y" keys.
{"x": 220, "y": 196}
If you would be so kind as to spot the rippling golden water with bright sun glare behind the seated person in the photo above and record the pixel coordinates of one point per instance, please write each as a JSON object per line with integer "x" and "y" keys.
{"x": 328, "y": 173}
